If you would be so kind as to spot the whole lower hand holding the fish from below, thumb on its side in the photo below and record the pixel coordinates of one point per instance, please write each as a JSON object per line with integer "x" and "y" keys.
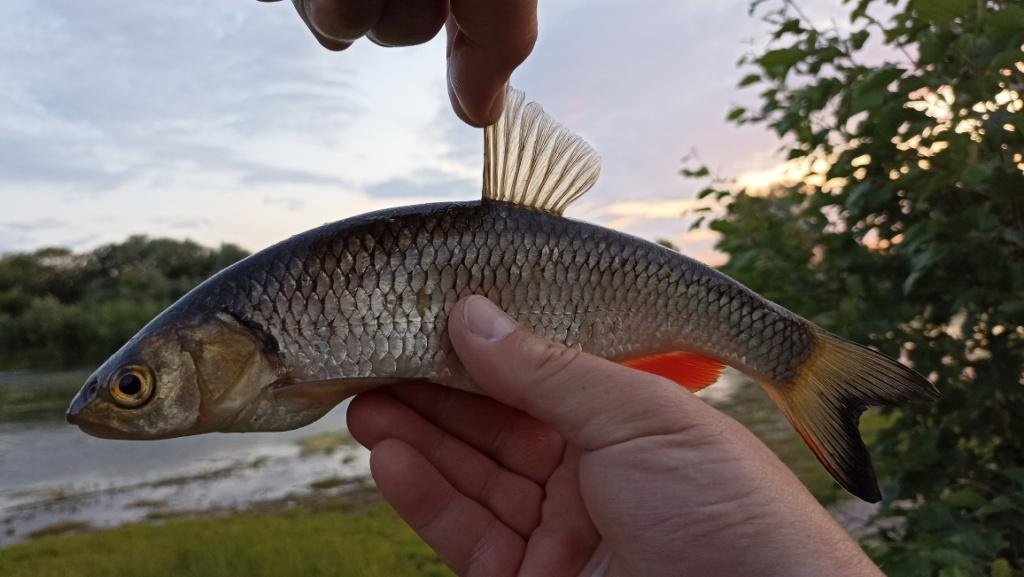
{"x": 577, "y": 466}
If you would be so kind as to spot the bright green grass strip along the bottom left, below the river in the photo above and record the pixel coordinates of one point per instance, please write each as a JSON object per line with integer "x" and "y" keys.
{"x": 330, "y": 539}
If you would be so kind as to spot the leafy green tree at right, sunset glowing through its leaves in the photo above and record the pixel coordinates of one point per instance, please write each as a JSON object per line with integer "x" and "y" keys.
{"x": 907, "y": 232}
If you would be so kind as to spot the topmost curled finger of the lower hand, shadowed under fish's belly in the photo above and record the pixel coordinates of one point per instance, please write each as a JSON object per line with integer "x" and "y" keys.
{"x": 516, "y": 440}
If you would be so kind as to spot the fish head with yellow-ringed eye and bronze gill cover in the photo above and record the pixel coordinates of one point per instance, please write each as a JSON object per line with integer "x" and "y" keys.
{"x": 183, "y": 375}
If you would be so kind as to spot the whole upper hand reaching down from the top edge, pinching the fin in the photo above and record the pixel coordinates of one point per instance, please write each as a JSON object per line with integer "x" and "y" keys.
{"x": 487, "y": 40}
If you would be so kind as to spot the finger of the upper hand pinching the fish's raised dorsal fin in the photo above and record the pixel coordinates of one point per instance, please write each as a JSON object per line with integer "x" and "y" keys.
{"x": 493, "y": 38}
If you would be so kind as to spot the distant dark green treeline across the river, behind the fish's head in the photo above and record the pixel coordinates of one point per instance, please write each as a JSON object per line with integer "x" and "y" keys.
{"x": 60, "y": 309}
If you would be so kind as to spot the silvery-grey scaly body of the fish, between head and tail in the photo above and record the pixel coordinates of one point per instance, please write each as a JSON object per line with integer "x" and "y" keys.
{"x": 379, "y": 293}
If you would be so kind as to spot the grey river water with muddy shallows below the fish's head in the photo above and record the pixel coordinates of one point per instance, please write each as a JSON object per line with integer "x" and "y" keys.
{"x": 54, "y": 475}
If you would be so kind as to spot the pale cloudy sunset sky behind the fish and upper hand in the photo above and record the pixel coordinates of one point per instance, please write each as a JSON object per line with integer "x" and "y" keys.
{"x": 225, "y": 121}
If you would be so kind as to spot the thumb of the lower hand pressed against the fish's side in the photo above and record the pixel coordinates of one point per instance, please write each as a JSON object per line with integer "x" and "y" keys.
{"x": 591, "y": 402}
